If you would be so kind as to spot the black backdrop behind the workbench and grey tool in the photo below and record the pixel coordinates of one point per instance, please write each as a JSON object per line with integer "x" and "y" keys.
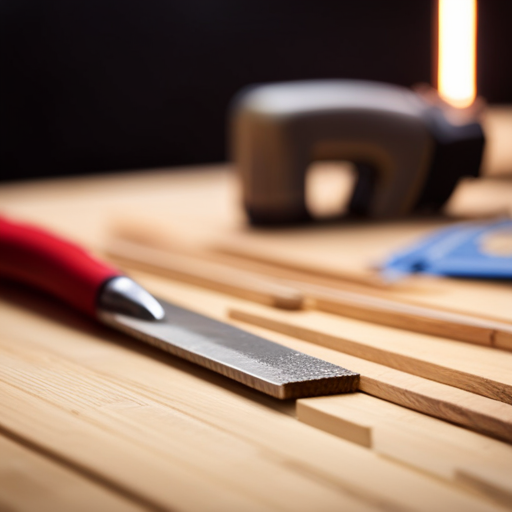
{"x": 89, "y": 86}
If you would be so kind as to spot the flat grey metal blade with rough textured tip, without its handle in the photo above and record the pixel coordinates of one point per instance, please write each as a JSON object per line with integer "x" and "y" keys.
{"x": 254, "y": 361}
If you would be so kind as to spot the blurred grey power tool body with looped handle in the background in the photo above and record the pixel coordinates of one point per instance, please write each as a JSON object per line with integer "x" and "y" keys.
{"x": 409, "y": 153}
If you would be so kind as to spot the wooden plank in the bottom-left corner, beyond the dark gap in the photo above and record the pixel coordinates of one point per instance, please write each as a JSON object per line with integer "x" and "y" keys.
{"x": 32, "y": 482}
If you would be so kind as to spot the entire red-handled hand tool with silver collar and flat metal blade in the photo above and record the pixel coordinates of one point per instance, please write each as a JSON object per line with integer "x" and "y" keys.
{"x": 38, "y": 258}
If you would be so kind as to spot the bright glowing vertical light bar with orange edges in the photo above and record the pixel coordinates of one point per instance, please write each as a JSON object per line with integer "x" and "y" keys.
{"x": 457, "y": 52}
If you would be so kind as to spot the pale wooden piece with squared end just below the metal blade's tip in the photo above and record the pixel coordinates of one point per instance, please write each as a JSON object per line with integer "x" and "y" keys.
{"x": 417, "y": 440}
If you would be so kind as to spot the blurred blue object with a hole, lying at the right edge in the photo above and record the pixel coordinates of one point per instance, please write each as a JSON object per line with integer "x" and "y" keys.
{"x": 454, "y": 251}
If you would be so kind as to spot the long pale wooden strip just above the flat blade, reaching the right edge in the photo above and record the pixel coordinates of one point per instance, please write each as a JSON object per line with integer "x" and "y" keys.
{"x": 480, "y": 370}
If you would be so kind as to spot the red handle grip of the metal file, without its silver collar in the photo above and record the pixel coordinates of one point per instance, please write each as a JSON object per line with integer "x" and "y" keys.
{"x": 40, "y": 259}
